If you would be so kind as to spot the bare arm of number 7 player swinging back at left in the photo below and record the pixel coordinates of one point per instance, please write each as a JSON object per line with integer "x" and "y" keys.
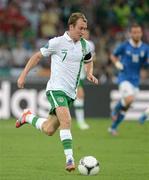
{"x": 33, "y": 61}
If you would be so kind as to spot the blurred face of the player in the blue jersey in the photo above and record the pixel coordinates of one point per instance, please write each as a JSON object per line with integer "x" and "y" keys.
{"x": 136, "y": 33}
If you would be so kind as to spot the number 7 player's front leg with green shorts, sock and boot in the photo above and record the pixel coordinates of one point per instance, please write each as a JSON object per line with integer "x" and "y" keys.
{"x": 61, "y": 103}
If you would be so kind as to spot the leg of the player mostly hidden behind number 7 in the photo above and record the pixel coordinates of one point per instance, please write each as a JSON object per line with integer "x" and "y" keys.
{"x": 79, "y": 108}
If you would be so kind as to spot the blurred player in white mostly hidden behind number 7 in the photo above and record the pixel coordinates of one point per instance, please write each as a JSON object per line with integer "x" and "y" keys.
{"x": 79, "y": 102}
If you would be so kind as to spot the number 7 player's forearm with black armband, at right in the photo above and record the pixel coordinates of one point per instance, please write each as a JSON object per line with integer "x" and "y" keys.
{"x": 89, "y": 68}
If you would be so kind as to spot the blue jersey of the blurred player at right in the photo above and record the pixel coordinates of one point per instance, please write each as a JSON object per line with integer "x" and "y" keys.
{"x": 132, "y": 59}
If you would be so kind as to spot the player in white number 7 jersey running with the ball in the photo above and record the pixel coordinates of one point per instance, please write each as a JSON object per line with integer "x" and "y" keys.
{"x": 67, "y": 52}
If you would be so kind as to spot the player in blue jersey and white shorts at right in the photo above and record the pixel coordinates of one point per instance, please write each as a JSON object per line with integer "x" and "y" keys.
{"x": 128, "y": 59}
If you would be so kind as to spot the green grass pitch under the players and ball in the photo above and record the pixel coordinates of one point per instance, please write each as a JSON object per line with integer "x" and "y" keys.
{"x": 26, "y": 154}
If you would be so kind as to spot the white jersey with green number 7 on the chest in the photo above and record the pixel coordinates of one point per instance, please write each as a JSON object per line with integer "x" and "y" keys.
{"x": 66, "y": 60}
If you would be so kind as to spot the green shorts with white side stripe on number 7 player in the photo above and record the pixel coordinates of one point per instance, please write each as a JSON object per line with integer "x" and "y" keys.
{"x": 58, "y": 98}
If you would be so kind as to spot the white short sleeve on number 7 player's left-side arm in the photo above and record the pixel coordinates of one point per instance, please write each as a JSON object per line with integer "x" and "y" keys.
{"x": 50, "y": 47}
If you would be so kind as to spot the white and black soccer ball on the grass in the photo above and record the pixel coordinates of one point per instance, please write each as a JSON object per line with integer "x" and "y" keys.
{"x": 88, "y": 165}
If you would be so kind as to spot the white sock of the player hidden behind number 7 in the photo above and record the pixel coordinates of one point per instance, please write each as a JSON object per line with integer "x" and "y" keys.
{"x": 79, "y": 110}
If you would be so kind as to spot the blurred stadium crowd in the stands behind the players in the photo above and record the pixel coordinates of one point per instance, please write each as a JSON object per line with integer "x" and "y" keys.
{"x": 26, "y": 25}
